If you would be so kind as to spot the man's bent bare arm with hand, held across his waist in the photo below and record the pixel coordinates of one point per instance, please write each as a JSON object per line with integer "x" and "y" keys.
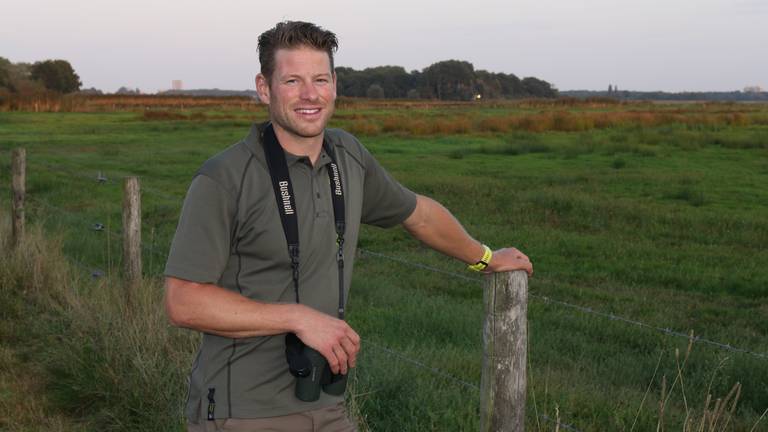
{"x": 211, "y": 309}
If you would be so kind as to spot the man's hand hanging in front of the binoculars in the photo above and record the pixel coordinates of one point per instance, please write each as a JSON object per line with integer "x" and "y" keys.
{"x": 331, "y": 337}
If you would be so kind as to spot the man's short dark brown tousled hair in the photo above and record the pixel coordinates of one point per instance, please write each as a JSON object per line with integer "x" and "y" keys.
{"x": 294, "y": 34}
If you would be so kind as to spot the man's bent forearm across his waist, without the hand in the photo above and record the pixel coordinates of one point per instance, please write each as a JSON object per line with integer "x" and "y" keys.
{"x": 212, "y": 309}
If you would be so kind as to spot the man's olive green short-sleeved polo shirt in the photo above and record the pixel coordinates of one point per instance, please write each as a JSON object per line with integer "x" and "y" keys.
{"x": 230, "y": 234}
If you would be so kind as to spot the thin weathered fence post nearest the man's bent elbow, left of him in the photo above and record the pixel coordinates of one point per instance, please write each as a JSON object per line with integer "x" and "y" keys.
{"x": 132, "y": 231}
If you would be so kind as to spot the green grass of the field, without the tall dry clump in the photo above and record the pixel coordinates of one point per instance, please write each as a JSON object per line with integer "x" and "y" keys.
{"x": 660, "y": 222}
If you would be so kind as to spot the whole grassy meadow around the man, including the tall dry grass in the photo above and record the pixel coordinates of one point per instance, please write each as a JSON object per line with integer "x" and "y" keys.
{"x": 641, "y": 219}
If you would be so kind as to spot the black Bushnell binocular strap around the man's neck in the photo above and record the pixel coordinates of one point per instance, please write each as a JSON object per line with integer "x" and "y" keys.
{"x": 286, "y": 205}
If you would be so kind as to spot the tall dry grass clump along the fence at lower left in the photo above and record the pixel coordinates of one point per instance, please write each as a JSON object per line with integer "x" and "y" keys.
{"x": 106, "y": 363}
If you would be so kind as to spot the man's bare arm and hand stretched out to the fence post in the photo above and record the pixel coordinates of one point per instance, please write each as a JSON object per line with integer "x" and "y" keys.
{"x": 435, "y": 226}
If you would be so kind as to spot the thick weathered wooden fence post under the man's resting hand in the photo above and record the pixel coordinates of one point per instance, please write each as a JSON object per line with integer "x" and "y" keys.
{"x": 505, "y": 332}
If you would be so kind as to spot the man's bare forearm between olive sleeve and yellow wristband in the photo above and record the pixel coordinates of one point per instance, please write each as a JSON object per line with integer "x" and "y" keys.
{"x": 435, "y": 226}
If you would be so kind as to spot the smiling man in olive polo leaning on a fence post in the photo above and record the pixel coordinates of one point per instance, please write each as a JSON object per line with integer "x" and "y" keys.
{"x": 231, "y": 275}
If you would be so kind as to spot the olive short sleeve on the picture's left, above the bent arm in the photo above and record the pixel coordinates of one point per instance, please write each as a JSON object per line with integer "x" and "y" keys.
{"x": 201, "y": 245}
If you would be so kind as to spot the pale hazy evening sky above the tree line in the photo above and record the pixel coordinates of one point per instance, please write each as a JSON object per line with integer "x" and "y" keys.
{"x": 646, "y": 45}
